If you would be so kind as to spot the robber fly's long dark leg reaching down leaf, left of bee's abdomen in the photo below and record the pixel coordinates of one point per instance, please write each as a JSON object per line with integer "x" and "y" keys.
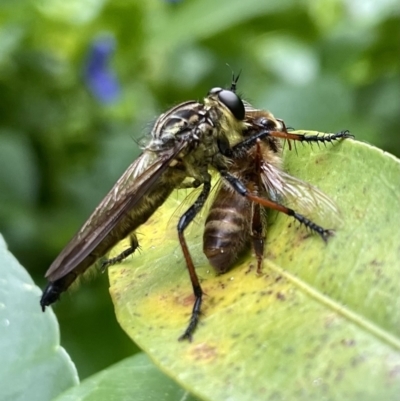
{"x": 184, "y": 221}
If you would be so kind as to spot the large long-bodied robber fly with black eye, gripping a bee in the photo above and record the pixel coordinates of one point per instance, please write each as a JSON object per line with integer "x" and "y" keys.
{"x": 185, "y": 143}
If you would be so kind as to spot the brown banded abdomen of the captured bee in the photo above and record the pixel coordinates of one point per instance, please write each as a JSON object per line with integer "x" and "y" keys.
{"x": 225, "y": 235}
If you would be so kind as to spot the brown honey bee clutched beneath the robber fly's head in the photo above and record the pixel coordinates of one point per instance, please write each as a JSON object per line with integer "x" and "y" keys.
{"x": 235, "y": 221}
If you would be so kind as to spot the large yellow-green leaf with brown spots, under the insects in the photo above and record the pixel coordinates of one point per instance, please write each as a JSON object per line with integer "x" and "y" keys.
{"x": 322, "y": 322}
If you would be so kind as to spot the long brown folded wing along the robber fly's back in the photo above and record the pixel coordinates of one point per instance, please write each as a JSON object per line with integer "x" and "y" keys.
{"x": 137, "y": 180}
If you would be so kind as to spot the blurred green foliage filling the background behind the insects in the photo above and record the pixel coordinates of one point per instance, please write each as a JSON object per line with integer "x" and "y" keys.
{"x": 323, "y": 66}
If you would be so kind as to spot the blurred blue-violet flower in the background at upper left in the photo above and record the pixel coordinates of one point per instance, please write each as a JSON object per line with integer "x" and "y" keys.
{"x": 99, "y": 77}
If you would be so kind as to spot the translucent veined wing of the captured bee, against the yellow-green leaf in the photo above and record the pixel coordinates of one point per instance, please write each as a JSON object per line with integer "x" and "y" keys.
{"x": 300, "y": 196}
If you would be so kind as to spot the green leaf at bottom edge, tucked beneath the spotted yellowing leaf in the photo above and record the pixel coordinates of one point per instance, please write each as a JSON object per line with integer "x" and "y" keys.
{"x": 135, "y": 378}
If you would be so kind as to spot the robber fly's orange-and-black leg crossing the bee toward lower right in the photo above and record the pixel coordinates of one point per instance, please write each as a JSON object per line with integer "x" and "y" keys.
{"x": 239, "y": 187}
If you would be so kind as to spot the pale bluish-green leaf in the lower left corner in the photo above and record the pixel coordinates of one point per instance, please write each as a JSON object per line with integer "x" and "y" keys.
{"x": 33, "y": 365}
